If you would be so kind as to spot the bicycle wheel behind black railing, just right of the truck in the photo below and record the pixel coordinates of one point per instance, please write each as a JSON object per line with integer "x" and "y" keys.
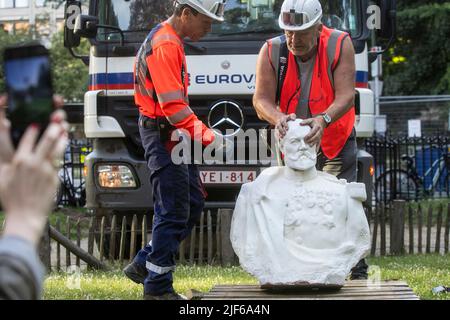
{"x": 396, "y": 185}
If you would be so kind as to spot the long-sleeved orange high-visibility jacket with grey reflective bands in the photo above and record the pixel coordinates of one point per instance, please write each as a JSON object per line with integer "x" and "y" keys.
{"x": 161, "y": 82}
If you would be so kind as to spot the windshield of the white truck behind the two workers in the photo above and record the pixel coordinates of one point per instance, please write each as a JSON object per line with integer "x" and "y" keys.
{"x": 242, "y": 17}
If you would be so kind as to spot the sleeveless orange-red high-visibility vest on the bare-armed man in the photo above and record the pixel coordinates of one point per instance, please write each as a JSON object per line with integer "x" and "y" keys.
{"x": 322, "y": 92}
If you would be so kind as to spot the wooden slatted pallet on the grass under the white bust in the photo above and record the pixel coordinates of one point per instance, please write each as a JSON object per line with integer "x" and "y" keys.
{"x": 353, "y": 290}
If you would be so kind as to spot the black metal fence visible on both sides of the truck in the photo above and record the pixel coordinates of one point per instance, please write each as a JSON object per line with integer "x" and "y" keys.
{"x": 405, "y": 169}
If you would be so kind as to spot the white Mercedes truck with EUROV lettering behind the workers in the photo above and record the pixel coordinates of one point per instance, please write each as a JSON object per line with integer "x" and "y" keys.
{"x": 222, "y": 81}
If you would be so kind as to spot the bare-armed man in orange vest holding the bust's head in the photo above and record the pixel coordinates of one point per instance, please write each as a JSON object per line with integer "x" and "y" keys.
{"x": 309, "y": 73}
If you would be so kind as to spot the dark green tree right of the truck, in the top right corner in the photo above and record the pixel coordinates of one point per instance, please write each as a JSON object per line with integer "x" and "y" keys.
{"x": 419, "y": 62}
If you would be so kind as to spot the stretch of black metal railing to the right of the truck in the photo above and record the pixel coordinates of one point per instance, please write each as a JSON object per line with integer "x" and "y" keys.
{"x": 410, "y": 168}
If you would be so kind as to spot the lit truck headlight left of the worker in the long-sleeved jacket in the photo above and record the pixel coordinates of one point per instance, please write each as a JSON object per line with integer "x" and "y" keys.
{"x": 115, "y": 176}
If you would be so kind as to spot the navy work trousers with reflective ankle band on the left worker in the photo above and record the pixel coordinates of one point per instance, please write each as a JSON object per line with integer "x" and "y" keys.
{"x": 179, "y": 198}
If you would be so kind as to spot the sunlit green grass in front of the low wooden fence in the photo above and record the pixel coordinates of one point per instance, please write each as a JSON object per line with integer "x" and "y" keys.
{"x": 422, "y": 273}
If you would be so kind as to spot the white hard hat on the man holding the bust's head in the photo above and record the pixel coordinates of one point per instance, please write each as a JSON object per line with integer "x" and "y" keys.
{"x": 298, "y": 15}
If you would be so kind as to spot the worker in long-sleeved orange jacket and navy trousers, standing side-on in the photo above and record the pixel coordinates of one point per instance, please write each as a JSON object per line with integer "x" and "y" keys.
{"x": 161, "y": 94}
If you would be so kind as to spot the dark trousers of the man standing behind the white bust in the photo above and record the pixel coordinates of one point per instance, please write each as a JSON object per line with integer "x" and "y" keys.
{"x": 344, "y": 166}
